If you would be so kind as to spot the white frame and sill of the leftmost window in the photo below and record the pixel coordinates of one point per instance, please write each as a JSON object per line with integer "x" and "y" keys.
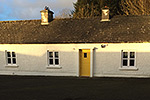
{"x": 6, "y": 57}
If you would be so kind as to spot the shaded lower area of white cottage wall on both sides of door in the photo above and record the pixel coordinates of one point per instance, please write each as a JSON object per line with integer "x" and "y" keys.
{"x": 103, "y": 62}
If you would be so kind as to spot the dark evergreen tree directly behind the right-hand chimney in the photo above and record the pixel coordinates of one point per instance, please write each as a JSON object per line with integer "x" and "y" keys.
{"x": 92, "y": 8}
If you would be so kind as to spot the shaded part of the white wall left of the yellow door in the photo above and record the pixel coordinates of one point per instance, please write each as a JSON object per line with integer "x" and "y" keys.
{"x": 39, "y": 63}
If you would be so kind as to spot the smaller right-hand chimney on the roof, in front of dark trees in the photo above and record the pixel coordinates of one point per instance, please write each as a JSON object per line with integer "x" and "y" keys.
{"x": 105, "y": 14}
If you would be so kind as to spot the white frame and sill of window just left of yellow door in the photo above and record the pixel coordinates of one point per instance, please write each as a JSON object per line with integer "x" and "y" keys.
{"x": 51, "y": 66}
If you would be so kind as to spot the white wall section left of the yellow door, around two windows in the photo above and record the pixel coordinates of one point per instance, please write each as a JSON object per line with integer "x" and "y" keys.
{"x": 32, "y": 60}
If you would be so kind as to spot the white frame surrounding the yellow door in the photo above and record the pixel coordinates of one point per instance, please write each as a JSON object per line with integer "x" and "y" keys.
{"x": 91, "y": 61}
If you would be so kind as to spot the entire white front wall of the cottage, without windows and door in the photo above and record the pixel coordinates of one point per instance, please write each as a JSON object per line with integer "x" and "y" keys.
{"x": 106, "y": 61}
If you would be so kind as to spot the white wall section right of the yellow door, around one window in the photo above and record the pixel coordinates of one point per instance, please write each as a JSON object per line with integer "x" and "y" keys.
{"x": 108, "y": 60}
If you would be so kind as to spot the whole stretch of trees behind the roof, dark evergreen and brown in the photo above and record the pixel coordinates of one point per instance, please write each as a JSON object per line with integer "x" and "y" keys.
{"x": 92, "y": 8}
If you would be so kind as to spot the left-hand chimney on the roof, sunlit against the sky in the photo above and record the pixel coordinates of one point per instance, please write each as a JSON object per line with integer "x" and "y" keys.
{"x": 46, "y": 16}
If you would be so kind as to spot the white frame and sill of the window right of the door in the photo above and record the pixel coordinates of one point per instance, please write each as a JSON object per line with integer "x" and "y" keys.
{"x": 128, "y": 67}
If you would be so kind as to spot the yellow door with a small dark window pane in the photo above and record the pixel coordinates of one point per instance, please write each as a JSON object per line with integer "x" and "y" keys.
{"x": 84, "y": 62}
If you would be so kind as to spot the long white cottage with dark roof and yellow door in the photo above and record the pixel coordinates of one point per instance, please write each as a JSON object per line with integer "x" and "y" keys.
{"x": 76, "y": 47}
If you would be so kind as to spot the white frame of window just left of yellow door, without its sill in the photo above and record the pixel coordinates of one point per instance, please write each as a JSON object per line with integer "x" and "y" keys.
{"x": 54, "y": 58}
